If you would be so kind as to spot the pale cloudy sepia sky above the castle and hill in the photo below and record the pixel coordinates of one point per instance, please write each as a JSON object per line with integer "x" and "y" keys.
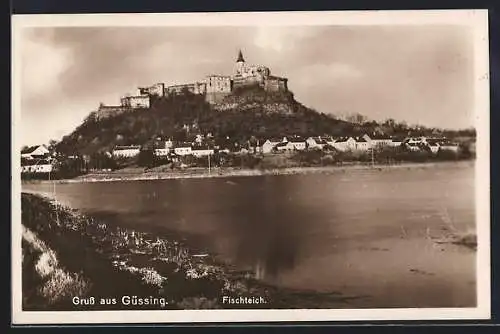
{"x": 419, "y": 74}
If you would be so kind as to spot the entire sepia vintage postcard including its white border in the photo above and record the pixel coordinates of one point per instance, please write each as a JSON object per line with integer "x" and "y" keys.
{"x": 250, "y": 167}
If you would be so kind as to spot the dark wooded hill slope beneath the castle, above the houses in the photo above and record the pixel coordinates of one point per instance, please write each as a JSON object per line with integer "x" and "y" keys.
{"x": 245, "y": 114}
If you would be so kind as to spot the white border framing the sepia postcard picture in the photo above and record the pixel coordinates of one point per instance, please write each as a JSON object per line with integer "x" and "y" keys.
{"x": 477, "y": 19}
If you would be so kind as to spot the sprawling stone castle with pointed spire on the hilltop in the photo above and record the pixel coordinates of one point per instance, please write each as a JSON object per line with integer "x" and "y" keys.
{"x": 213, "y": 87}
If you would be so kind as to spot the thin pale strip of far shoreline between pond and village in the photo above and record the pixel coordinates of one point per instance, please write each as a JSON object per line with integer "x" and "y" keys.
{"x": 191, "y": 173}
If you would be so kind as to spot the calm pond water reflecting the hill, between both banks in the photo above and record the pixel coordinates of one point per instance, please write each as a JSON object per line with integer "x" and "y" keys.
{"x": 365, "y": 234}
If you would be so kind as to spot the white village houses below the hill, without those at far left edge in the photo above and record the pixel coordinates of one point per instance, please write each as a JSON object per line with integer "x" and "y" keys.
{"x": 363, "y": 143}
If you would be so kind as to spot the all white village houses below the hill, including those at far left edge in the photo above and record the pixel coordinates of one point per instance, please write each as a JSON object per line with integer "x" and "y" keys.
{"x": 38, "y": 159}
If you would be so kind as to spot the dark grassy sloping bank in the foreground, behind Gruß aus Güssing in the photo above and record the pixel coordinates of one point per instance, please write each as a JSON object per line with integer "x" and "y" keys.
{"x": 67, "y": 255}
